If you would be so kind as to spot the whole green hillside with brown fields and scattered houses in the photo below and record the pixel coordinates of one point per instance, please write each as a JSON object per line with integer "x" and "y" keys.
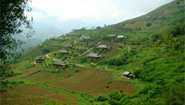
{"x": 152, "y": 49}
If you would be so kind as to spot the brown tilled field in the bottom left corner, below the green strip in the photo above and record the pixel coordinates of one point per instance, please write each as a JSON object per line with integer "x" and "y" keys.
{"x": 31, "y": 95}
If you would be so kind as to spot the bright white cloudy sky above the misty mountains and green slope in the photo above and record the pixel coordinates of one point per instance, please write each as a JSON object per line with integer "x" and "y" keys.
{"x": 90, "y": 12}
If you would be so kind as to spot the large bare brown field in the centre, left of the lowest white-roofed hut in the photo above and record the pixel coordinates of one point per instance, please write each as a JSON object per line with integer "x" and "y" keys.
{"x": 94, "y": 82}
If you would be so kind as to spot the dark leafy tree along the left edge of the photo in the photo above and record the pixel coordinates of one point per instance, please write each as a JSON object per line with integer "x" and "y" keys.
{"x": 12, "y": 21}
